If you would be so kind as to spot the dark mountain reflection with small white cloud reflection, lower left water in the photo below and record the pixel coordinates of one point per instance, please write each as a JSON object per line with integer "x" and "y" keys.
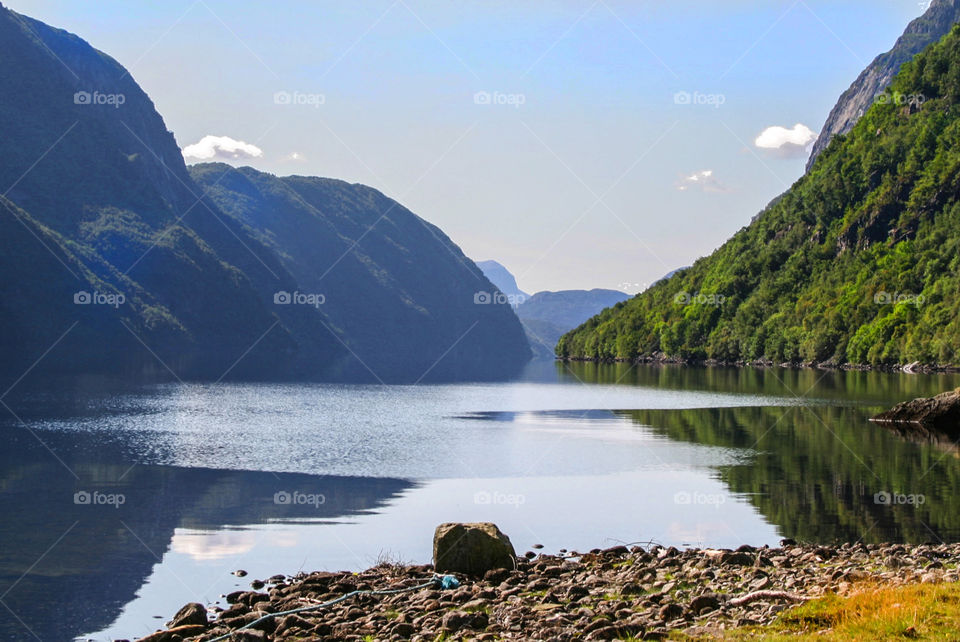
{"x": 70, "y": 558}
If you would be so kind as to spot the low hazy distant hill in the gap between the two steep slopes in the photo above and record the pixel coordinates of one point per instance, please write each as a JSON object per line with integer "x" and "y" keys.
{"x": 547, "y": 316}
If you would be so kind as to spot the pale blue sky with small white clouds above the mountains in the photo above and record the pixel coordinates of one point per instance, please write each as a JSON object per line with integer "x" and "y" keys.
{"x": 587, "y": 144}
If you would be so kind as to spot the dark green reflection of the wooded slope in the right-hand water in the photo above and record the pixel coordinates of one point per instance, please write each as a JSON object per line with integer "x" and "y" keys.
{"x": 826, "y": 474}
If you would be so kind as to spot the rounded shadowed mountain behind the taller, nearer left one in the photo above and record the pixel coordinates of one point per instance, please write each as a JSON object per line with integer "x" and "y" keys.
{"x": 403, "y": 284}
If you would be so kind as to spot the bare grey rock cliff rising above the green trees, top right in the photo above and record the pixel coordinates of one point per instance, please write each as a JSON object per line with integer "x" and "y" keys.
{"x": 936, "y": 22}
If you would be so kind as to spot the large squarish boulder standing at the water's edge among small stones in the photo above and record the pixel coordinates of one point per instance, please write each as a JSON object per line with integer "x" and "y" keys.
{"x": 472, "y": 549}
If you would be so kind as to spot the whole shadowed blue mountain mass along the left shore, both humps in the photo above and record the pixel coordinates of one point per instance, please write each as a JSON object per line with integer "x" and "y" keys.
{"x": 114, "y": 259}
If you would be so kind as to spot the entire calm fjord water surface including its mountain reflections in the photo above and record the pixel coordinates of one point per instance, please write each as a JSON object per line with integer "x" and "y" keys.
{"x": 120, "y": 504}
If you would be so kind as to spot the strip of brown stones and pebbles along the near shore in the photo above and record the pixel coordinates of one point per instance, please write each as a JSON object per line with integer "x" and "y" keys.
{"x": 615, "y": 593}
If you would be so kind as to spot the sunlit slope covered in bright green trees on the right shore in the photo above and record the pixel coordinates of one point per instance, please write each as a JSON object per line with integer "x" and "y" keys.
{"x": 859, "y": 262}
